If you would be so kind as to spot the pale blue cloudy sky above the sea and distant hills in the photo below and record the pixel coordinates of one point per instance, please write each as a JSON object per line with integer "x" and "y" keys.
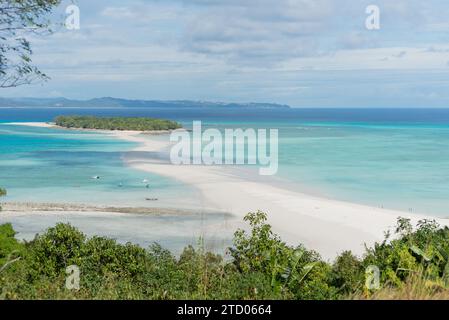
{"x": 304, "y": 53}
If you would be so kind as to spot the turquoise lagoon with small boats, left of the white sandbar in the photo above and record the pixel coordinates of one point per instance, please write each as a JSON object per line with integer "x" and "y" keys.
{"x": 48, "y": 165}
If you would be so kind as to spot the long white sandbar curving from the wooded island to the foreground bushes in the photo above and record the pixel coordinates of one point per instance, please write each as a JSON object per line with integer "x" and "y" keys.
{"x": 327, "y": 226}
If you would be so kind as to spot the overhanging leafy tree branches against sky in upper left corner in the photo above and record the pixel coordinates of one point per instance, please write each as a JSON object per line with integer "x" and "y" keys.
{"x": 19, "y": 18}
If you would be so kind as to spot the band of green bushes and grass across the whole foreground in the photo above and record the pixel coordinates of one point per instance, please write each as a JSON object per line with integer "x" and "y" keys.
{"x": 415, "y": 265}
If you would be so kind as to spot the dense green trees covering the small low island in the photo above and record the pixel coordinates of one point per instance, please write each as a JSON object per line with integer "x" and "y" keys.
{"x": 116, "y": 123}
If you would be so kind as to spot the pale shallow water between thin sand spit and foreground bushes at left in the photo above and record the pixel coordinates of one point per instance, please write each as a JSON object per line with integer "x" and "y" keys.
{"x": 210, "y": 231}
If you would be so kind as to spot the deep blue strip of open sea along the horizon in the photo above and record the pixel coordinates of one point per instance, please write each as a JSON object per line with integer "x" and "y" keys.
{"x": 371, "y": 116}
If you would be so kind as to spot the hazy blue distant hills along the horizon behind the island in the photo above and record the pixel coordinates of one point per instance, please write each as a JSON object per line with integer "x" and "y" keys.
{"x": 124, "y": 103}
